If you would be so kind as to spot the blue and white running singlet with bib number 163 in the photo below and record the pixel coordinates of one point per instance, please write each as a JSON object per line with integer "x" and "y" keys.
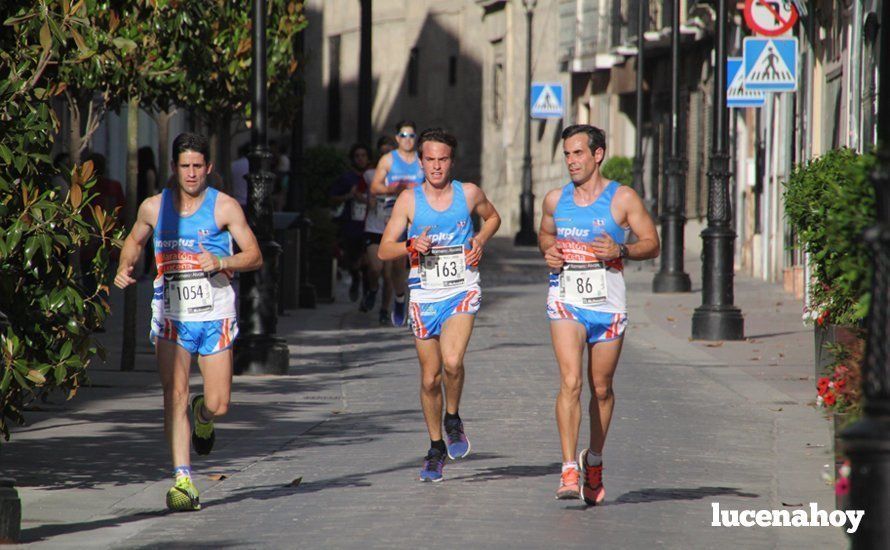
{"x": 443, "y": 273}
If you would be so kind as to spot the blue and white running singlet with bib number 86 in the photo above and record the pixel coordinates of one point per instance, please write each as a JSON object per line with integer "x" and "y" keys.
{"x": 586, "y": 282}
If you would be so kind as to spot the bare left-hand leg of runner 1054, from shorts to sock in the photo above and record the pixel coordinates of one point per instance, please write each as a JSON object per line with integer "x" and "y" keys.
{"x": 173, "y": 366}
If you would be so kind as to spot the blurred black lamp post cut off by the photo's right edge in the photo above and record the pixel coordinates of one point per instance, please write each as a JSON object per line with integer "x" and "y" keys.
{"x": 868, "y": 440}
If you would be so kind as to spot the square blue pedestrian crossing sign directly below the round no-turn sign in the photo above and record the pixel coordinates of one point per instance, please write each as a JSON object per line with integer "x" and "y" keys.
{"x": 770, "y": 64}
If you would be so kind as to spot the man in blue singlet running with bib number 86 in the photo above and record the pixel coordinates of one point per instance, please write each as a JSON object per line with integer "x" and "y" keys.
{"x": 582, "y": 238}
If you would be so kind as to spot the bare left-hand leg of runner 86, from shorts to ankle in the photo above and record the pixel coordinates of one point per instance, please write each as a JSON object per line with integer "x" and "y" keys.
{"x": 569, "y": 339}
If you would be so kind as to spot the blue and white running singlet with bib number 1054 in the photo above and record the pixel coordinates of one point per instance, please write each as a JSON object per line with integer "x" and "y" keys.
{"x": 182, "y": 291}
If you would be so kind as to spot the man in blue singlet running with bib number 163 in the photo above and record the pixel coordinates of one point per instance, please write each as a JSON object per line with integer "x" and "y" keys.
{"x": 444, "y": 283}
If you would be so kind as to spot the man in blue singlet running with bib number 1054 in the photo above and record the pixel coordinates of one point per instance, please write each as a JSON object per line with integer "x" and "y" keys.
{"x": 193, "y": 308}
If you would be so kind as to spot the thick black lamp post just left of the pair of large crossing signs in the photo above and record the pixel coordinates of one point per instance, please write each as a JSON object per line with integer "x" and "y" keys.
{"x": 717, "y": 318}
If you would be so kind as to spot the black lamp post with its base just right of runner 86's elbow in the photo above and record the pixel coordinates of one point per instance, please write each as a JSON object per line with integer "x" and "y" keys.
{"x": 671, "y": 277}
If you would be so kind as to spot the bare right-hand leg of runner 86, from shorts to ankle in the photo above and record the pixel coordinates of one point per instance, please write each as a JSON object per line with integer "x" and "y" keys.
{"x": 602, "y": 362}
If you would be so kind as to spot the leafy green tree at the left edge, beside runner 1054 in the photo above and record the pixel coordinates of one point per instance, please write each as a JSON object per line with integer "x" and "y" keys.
{"x": 46, "y": 344}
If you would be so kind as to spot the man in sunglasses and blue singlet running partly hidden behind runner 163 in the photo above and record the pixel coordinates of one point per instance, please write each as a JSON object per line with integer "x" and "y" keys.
{"x": 396, "y": 171}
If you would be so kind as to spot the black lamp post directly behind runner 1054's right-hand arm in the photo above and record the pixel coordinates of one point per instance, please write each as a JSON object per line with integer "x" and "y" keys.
{"x": 257, "y": 350}
